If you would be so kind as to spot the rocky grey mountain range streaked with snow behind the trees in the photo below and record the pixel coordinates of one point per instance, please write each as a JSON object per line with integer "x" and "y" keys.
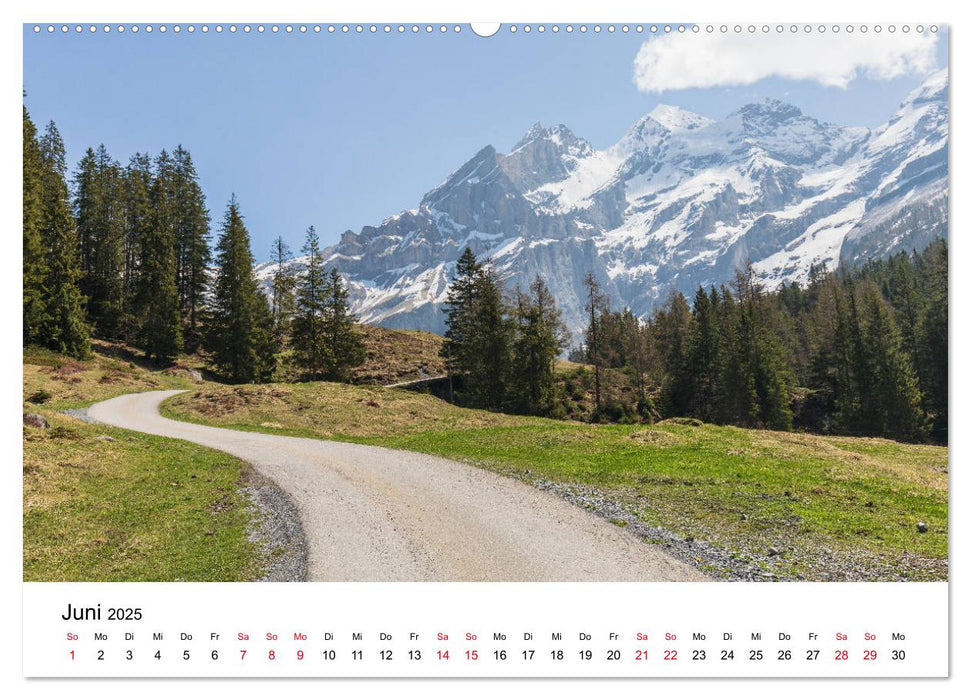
{"x": 679, "y": 201}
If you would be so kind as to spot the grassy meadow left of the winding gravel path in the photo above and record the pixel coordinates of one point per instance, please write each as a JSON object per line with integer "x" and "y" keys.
{"x": 104, "y": 504}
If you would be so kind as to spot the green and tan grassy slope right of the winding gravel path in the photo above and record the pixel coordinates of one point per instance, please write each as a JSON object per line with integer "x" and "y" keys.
{"x": 793, "y": 505}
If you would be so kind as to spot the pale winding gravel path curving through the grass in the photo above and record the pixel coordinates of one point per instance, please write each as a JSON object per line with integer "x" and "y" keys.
{"x": 374, "y": 514}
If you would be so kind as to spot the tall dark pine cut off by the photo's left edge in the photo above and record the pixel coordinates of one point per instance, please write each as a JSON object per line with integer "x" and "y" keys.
{"x": 34, "y": 259}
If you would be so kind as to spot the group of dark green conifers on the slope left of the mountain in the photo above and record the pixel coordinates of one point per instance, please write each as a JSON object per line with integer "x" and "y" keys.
{"x": 122, "y": 252}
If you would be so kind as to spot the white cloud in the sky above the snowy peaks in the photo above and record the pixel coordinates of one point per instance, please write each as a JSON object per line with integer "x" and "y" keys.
{"x": 679, "y": 61}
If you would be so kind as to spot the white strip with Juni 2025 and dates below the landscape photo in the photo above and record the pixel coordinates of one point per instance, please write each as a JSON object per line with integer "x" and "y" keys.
{"x": 488, "y": 630}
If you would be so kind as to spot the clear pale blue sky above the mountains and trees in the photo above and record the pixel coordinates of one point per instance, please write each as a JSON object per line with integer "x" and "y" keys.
{"x": 340, "y": 131}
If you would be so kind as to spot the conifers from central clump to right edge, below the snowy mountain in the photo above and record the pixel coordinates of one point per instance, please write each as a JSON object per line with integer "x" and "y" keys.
{"x": 857, "y": 352}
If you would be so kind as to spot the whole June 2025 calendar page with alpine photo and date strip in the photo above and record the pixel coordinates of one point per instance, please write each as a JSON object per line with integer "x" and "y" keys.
{"x": 515, "y": 350}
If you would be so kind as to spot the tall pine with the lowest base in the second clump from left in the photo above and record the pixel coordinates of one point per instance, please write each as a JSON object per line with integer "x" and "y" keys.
{"x": 160, "y": 333}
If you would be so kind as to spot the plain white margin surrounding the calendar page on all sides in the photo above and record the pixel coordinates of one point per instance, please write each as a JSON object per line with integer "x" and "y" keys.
{"x": 925, "y": 11}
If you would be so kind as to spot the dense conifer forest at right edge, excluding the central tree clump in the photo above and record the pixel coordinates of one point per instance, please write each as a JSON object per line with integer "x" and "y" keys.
{"x": 857, "y": 352}
